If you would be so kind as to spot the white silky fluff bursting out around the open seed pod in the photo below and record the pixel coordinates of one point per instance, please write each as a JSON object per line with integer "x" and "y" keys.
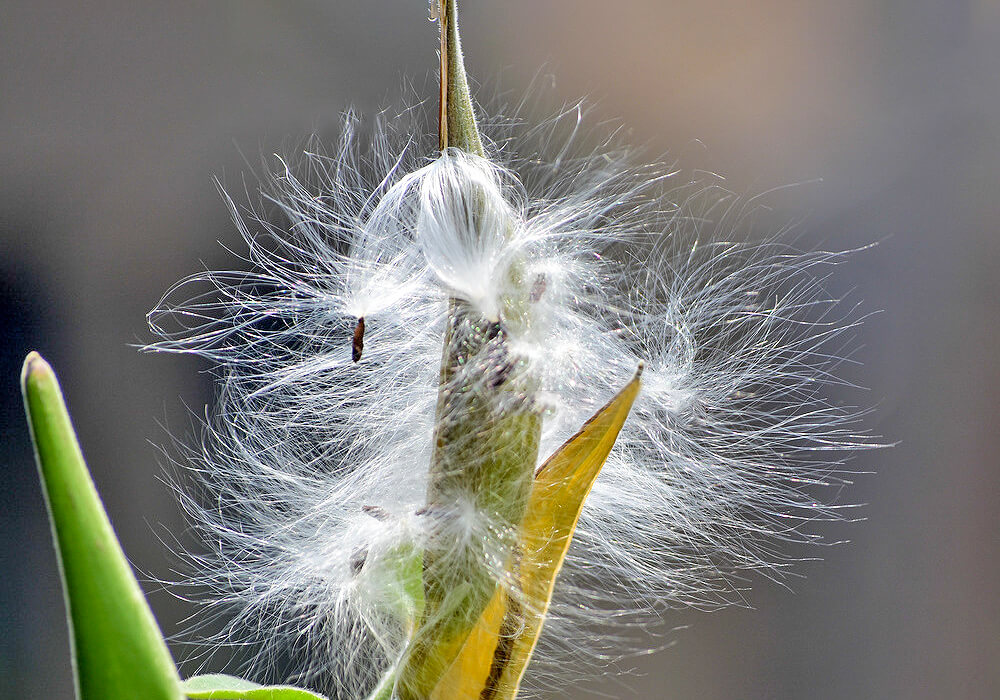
{"x": 313, "y": 468}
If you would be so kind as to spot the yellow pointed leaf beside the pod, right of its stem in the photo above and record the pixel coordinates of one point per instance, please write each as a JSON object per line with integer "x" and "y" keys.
{"x": 496, "y": 652}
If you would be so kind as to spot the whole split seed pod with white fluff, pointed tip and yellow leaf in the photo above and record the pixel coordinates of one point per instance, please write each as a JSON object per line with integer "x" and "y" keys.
{"x": 401, "y": 523}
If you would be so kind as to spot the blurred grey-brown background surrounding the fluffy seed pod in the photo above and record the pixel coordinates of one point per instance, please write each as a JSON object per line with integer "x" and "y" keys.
{"x": 115, "y": 116}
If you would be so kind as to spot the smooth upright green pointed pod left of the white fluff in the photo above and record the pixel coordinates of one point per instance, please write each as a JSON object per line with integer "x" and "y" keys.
{"x": 117, "y": 648}
